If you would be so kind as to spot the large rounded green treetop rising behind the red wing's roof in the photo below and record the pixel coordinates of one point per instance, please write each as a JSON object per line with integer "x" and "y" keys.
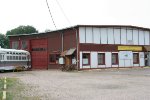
{"x": 22, "y": 30}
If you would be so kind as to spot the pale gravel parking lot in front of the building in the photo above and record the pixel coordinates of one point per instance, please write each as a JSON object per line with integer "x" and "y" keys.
{"x": 111, "y": 84}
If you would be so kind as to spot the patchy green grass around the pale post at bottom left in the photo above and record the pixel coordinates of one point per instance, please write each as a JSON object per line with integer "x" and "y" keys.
{"x": 15, "y": 90}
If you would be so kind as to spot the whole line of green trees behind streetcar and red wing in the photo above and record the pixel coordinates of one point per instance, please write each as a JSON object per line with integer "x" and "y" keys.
{"x": 4, "y": 40}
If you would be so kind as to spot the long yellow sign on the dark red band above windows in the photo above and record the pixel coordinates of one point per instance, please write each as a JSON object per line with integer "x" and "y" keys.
{"x": 130, "y": 48}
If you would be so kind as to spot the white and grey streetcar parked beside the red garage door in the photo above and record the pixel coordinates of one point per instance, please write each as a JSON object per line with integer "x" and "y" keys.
{"x": 10, "y": 59}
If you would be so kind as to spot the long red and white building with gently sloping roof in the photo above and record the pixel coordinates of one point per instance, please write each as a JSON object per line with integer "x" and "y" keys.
{"x": 92, "y": 46}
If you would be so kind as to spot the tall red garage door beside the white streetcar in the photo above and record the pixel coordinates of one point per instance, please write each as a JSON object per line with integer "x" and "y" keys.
{"x": 39, "y": 53}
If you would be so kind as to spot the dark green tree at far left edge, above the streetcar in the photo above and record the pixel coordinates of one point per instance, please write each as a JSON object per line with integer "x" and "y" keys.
{"x": 4, "y": 43}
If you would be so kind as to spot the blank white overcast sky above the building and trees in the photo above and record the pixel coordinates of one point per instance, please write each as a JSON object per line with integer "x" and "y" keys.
{"x": 100, "y": 12}
